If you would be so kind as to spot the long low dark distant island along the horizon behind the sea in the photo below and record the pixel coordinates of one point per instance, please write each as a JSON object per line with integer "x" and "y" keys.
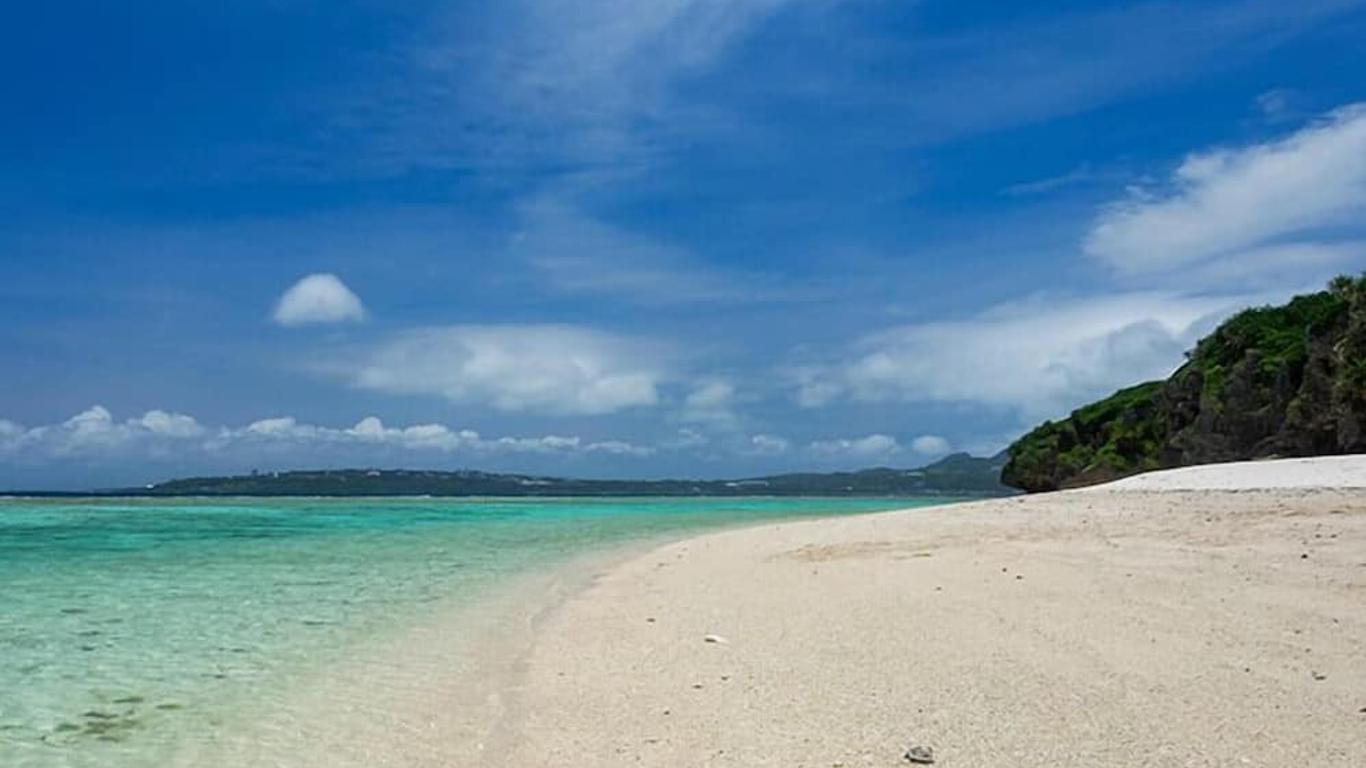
{"x": 958, "y": 475}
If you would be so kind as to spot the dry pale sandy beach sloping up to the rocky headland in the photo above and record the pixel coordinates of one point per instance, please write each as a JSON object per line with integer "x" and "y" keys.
{"x": 1091, "y": 629}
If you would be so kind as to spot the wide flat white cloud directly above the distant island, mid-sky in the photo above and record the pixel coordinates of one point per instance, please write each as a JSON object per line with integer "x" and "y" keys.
{"x": 561, "y": 370}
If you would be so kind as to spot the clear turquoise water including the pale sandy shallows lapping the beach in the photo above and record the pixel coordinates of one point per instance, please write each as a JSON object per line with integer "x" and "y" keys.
{"x": 298, "y": 635}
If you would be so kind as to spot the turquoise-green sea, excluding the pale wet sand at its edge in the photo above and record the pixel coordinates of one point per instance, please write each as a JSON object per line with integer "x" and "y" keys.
{"x": 129, "y": 628}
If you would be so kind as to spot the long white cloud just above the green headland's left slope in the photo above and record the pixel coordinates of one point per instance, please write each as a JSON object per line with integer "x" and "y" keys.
{"x": 1039, "y": 357}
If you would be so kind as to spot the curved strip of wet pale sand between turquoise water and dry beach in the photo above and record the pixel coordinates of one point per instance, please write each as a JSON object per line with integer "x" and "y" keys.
{"x": 439, "y": 689}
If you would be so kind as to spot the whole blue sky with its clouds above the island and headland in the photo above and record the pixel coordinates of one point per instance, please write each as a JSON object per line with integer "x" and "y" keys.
{"x": 640, "y": 237}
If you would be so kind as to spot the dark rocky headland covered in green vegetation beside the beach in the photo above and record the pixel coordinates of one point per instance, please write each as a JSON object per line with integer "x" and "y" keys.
{"x": 1271, "y": 382}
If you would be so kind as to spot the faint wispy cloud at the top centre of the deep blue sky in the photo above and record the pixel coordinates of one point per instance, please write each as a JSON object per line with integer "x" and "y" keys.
{"x": 553, "y": 85}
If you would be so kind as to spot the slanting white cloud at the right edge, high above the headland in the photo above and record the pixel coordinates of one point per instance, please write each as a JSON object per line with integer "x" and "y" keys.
{"x": 1294, "y": 203}
